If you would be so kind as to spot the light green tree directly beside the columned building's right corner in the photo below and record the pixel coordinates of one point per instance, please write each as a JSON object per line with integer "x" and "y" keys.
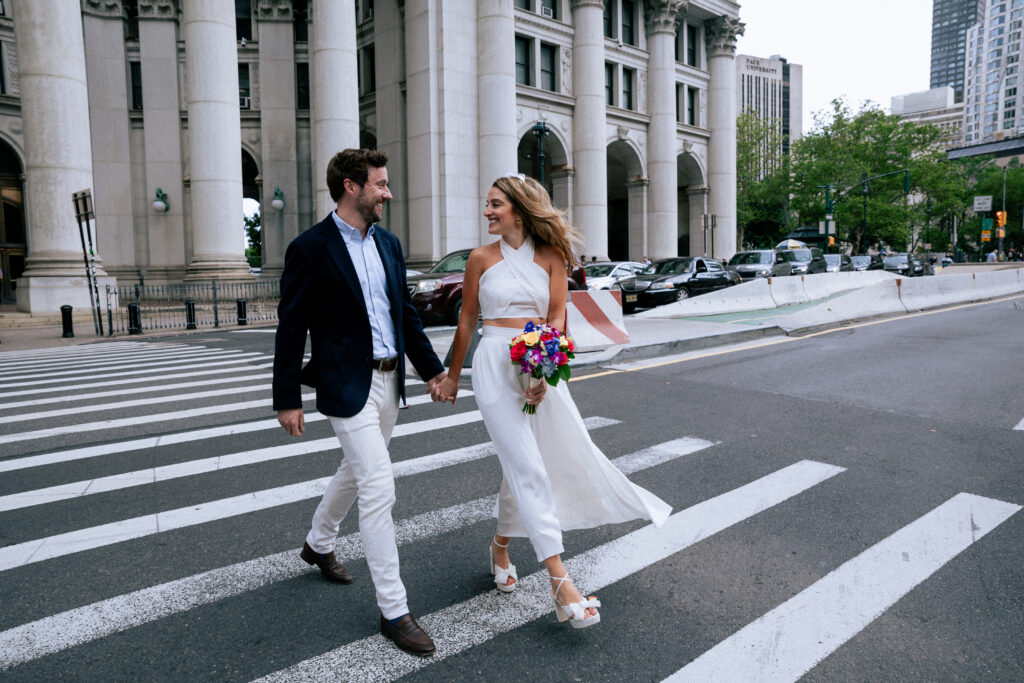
{"x": 762, "y": 183}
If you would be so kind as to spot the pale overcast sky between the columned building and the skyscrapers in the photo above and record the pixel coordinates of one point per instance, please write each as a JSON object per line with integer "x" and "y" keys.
{"x": 864, "y": 50}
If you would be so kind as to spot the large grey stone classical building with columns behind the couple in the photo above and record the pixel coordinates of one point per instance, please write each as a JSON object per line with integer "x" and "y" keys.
{"x": 173, "y": 111}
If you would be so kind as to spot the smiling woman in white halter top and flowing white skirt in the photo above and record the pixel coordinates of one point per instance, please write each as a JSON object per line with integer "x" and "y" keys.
{"x": 554, "y": 478}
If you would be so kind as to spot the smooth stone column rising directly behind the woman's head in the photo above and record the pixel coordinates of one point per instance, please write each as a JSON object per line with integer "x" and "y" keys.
{"x": 497, "y": 100}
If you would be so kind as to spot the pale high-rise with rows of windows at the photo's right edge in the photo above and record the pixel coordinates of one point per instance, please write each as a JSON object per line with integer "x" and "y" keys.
{"x": 992, "y": 109}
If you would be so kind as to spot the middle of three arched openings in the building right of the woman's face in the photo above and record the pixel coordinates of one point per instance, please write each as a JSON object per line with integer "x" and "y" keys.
{"x": 626, "y": 206}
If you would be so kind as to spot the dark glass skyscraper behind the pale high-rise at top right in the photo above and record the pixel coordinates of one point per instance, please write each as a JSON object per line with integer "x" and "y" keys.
{"x": 951, "y": 22}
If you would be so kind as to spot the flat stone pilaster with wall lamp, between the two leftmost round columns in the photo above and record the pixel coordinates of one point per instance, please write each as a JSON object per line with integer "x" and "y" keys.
{"x": 162, "y": 142}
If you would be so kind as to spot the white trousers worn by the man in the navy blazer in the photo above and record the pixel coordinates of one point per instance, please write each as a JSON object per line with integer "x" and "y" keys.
{"x": 366, "y": 474}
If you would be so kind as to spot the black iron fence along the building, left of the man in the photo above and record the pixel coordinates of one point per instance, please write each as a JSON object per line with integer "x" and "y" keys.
{"x": 135, "y": 310}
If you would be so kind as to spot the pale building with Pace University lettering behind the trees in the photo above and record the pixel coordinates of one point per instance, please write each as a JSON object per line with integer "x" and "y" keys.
{"x": 773, "y": 89}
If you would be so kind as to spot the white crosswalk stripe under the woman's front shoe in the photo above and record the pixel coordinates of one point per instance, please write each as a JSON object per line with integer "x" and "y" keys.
{"x": 479, "y": 620}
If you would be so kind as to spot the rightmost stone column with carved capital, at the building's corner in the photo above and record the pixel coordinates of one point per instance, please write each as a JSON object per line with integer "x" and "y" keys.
{"x": 722, "y": 33}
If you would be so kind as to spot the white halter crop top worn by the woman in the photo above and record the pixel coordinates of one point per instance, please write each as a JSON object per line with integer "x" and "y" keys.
{"x": 516, "y": 287}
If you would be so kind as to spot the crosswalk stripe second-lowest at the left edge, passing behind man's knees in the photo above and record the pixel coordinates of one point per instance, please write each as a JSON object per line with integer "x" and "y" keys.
{"x": 60, "y": 545}
